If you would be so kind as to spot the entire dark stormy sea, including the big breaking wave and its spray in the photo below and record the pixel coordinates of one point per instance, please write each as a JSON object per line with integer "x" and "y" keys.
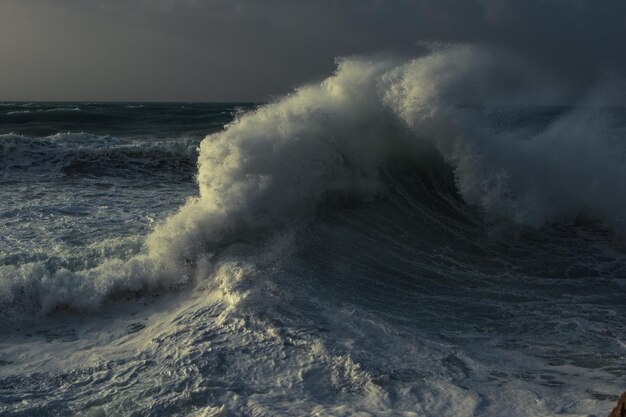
{"x": 437, "y": 236}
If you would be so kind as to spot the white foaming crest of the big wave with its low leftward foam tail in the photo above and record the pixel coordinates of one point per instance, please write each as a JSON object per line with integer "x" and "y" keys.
{"x": 332, "y": 144}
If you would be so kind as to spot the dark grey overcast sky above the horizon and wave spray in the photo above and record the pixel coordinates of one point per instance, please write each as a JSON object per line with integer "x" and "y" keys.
{"x": 253, "y": 50}
